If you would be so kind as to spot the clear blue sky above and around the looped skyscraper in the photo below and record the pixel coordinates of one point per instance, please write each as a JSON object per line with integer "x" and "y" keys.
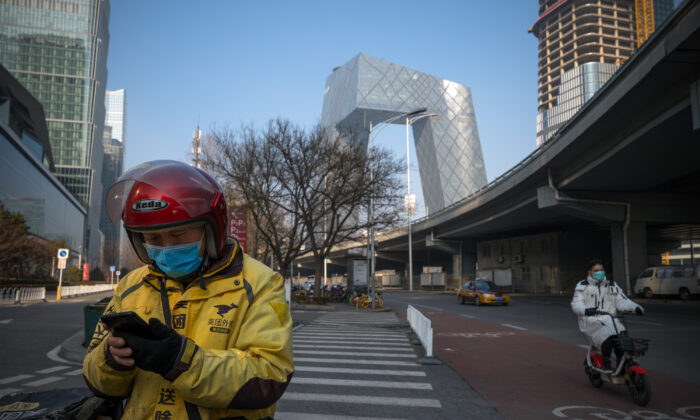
{"x": 241, "y": 62}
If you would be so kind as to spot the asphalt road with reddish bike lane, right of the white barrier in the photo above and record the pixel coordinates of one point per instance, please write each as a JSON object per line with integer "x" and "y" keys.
{"x": 526, "y": 358}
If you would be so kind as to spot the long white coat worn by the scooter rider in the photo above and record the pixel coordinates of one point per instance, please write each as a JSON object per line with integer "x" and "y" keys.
{"x": 605, "y": 296}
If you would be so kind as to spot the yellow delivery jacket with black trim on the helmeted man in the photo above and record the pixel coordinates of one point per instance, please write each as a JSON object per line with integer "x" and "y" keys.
{"x": 237, "y": 359}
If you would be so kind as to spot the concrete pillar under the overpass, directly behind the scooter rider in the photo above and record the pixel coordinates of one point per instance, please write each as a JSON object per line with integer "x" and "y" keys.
{"x": 636, "y": 253}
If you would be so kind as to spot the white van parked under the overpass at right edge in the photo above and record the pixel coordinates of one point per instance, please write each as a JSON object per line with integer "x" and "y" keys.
{"x": 681, "y": 280}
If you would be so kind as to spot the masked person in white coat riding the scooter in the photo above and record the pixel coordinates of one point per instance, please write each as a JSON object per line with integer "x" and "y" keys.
{"x": 597, "y": 293}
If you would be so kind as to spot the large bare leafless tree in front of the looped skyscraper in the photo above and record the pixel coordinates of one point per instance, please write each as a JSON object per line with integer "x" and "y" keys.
{"x": 307, "y": 188}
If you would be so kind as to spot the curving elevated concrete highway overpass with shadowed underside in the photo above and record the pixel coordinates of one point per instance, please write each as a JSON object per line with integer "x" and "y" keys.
{"x": 620, "y": 181}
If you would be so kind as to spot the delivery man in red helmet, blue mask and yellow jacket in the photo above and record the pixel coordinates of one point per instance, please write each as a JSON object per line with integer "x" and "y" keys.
{"x": 220, "y": 343}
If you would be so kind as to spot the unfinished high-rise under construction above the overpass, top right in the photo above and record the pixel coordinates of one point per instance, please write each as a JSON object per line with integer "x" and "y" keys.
{"x": 581, "y": 45}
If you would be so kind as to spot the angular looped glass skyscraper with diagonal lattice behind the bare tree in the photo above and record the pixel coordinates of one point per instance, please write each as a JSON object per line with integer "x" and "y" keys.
{"x": 367, "y": 89}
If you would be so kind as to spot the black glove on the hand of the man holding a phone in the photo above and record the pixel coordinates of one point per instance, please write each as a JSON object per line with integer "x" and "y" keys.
{"x": 157, "y": 353}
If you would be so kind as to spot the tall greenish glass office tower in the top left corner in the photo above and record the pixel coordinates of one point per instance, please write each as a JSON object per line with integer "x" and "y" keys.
{"x": 58, "y": 50}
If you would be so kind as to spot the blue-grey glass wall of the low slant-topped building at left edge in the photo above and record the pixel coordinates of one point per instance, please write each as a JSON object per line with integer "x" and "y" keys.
{"x": 50, "y": 211}
